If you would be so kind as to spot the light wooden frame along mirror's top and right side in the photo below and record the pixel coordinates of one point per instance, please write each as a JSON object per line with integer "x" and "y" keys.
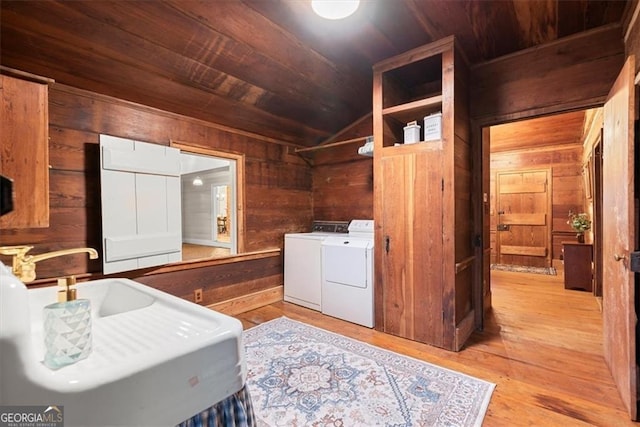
{"x": 240, "y": 167}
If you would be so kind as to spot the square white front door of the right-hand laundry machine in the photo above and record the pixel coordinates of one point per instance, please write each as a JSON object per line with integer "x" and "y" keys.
{"x": 344, "y": 261}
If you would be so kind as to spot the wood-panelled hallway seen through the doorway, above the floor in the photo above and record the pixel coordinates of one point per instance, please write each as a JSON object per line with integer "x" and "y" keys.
{"x": 542, "y": 170}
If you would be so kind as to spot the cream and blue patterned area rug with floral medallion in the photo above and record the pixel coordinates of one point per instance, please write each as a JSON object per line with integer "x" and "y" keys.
{"x": 300, "y": 375}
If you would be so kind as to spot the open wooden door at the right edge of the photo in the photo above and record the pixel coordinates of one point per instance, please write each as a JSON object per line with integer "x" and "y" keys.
{"x": 618, "y": 236}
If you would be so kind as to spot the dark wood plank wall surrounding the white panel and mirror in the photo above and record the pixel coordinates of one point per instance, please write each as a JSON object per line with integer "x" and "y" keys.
{"x": 277, "y": 193}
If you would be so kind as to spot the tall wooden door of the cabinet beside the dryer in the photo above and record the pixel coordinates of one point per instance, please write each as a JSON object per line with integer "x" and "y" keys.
{"x": 409, "y": 253}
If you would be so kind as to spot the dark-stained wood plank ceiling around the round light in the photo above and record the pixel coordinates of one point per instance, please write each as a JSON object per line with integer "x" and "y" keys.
{"x": 268, "y": 67}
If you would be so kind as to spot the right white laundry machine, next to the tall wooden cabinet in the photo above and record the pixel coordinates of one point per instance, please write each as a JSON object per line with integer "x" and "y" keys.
{"x": 347, "y": 274}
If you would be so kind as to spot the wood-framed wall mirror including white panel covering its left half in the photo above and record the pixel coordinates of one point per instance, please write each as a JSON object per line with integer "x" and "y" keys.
{"x": 168, "y": 204}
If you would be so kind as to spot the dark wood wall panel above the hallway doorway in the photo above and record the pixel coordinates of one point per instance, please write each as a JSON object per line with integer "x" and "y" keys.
{"x": 571, "y": 73}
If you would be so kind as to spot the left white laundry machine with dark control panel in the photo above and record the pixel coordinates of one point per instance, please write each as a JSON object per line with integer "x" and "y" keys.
{"x": 303, "y": 263}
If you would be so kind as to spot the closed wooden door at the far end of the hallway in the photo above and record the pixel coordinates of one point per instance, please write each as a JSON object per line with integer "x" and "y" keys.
{"x": 523, "y": 205}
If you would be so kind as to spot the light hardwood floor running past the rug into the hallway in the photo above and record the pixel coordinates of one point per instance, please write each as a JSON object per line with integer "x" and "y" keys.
{"x": 541, "y": 346}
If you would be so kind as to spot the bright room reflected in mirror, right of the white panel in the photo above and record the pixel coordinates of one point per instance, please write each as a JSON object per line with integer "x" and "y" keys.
{"x": 208, "y": 187}
